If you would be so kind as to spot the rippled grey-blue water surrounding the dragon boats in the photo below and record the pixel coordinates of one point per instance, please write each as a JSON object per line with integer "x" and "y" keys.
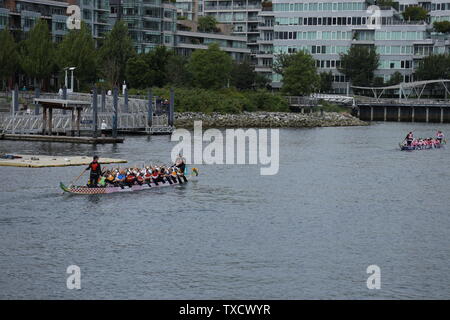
{"x": 344, "y": 198}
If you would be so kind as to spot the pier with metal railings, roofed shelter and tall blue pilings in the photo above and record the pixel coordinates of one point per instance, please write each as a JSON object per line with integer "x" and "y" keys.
{"x": 79, "y": 113}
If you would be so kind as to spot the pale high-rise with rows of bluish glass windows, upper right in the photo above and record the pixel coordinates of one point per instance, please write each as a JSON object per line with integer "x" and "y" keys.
{"x": 327, "y": 28}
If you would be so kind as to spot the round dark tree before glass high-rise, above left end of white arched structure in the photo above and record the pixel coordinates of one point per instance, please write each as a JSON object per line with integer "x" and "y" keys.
{"x": 359, "y": 64}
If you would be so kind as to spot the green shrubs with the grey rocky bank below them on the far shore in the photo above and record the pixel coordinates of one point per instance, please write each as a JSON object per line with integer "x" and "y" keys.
{"x": 229, "y": 108}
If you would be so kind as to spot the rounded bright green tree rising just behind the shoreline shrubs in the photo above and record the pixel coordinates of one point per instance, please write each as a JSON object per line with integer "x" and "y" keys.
{"x": 210, "y": 68}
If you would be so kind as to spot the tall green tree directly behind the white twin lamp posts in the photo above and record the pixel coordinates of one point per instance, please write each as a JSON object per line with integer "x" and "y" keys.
{"x": 78, "y": 50}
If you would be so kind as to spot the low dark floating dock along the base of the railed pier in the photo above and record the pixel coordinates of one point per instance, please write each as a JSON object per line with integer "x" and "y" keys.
{"x": 64, "y": 139}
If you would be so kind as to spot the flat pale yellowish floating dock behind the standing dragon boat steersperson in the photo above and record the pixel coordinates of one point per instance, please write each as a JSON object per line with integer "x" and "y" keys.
{"x": 42, "y": 161}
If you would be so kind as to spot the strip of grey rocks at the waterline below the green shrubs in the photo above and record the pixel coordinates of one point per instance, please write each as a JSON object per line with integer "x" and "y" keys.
{"x": 267, "y": 120}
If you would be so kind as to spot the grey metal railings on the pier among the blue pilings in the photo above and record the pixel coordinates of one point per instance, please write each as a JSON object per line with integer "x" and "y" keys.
{"x": 132, "y": 114}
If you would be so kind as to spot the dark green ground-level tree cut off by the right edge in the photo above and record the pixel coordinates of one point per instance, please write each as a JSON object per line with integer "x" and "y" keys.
{"x": 435, "y": 66}
